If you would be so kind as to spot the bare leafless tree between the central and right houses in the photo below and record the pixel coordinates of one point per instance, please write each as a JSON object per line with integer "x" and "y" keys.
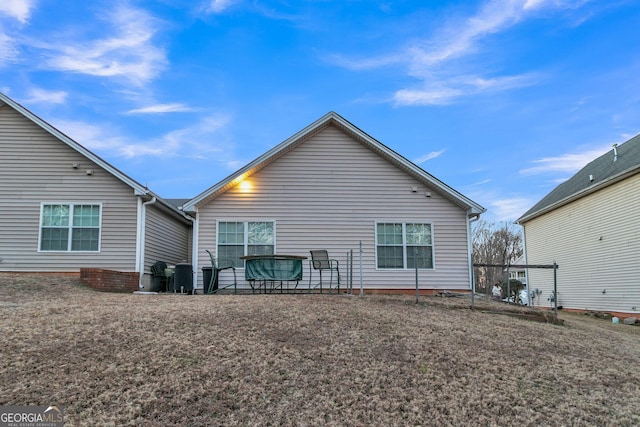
{"x": 494, "y": 244}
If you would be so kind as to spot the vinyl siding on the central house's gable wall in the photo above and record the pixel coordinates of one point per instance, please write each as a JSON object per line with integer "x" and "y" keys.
{"x": 328, "y": 193}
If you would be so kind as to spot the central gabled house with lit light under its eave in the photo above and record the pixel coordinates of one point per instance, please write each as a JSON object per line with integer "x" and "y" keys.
{"x": 331, "y": 186}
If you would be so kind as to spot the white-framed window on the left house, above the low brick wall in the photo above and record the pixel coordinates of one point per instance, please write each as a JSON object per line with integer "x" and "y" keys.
{"x": 70, "y": 227}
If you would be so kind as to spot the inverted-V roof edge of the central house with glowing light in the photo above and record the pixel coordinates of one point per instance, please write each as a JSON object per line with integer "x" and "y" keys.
{"x": 334, "y": 119}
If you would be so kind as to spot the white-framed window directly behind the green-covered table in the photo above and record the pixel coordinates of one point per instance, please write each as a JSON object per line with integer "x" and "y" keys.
{"x": 236, "y": 239}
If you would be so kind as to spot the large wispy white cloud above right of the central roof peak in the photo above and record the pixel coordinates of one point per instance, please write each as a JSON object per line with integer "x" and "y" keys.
{"x": 435, "y": 61}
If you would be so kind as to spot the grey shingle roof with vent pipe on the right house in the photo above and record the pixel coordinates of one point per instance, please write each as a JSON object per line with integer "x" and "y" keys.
{"x": 615, "y": 165}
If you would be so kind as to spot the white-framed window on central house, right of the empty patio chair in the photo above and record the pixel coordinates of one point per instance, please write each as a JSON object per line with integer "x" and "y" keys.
{"x": 404, "y": 245}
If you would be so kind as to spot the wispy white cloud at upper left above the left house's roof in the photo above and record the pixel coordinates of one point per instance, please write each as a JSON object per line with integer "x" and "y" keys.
{"x": 128, "y": 52}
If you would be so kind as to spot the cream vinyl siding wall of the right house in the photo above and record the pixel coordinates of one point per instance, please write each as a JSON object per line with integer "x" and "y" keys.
{"x": 596, "y": 243}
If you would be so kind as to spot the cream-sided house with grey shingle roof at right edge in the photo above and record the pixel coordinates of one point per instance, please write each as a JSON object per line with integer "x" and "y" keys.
{"x": 590, "y": 226}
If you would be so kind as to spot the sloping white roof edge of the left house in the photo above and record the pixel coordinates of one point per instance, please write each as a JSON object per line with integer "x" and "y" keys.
{"x": 138, "y": 189}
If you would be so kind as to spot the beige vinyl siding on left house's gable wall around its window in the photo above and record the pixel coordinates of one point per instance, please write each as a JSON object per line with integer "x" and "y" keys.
{"x": 36, "y": 167}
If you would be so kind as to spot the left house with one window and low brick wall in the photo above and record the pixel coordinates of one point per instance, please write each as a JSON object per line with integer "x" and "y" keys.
{"x": 64, "y": 209}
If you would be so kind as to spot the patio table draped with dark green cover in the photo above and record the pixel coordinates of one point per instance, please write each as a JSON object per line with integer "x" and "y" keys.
{"x": 272, "y": 269}
